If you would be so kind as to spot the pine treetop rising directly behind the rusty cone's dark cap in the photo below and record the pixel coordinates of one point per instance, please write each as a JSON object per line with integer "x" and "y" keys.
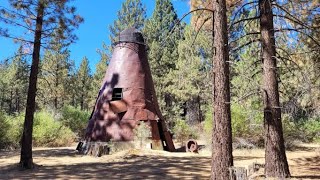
{"x": 132, "y": 14}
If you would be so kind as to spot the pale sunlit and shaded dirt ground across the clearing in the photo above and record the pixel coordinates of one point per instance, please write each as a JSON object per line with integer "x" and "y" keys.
{"x": 65, "y": 163}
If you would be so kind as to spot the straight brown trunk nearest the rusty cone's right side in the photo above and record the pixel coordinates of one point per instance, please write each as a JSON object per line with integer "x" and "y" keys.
{"x": 222, "y": 136}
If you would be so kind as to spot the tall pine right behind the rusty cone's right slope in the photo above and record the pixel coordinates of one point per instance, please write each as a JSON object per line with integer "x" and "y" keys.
{"x": 163, "y": 53}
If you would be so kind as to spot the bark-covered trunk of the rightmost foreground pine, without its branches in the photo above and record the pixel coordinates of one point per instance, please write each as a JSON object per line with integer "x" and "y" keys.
{"x": 276, "y": 164}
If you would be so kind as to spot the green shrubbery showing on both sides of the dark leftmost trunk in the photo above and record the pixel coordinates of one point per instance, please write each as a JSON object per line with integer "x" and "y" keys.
{"x": 46, "y": 131}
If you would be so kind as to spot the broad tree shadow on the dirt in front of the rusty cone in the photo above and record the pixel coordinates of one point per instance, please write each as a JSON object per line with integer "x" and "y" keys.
{"x": 131, "y": 167}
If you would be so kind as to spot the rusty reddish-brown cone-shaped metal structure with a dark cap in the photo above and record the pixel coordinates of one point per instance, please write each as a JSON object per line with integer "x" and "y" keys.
{"x": 127, "y": 96}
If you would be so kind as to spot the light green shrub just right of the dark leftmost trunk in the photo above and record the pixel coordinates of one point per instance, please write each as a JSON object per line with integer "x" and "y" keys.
{"x": 49, "y": 132}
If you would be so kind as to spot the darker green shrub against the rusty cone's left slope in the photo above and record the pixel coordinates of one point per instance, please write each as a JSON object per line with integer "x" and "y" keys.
{"x": 75, "y": 119}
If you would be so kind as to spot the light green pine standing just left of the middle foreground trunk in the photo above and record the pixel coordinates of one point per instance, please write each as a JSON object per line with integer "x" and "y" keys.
{"x": 189, "y": 81}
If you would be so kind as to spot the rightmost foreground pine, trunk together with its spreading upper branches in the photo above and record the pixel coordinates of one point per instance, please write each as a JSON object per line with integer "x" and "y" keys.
{"x": 287, "y": 17}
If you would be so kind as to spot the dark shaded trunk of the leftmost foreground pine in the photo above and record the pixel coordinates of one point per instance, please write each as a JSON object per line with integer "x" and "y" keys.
{"x": 26, "y": 140}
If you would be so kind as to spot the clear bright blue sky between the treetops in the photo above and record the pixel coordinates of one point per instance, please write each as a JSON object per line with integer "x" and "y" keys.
{"x": 98, "y": 15}
